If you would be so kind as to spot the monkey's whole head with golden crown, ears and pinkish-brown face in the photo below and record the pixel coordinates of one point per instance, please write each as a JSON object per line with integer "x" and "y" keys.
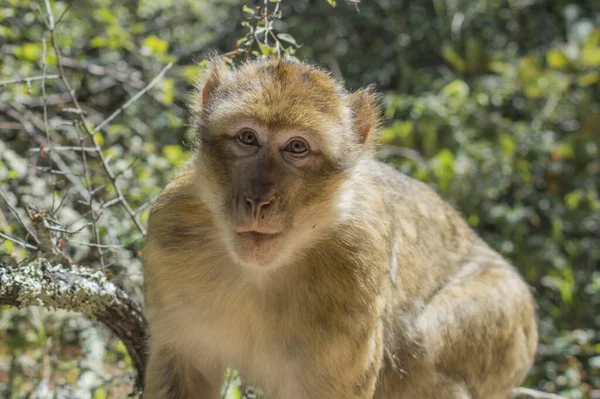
{"x": 277, "y": 144}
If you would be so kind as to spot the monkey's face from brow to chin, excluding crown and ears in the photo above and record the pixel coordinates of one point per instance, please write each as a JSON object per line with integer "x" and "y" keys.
{"x": 274, "y": 189}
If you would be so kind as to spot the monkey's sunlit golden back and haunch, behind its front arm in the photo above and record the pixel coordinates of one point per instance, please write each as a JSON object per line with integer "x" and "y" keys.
{"x": 460, "y": 314}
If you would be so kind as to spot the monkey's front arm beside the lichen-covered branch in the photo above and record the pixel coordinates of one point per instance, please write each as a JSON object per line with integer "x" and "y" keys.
{"x": 175, "y": 370}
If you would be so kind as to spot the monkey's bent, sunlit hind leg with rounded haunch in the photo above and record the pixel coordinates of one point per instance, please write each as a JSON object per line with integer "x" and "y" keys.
{"x": 478, "y": 338}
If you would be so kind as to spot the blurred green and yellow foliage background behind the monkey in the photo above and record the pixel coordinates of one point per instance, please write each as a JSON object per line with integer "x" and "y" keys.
{"x": 493, "y": 103}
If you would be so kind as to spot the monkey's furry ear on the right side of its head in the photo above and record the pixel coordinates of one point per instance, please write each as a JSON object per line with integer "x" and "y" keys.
{"x": 366, "y": 110}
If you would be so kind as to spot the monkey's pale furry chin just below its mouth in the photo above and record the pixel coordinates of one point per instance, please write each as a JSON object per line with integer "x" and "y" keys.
{"x": 258, "y": 250}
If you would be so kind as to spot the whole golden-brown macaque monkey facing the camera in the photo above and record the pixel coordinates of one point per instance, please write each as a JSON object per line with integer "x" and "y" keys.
{"x": 286, "y": 251}
